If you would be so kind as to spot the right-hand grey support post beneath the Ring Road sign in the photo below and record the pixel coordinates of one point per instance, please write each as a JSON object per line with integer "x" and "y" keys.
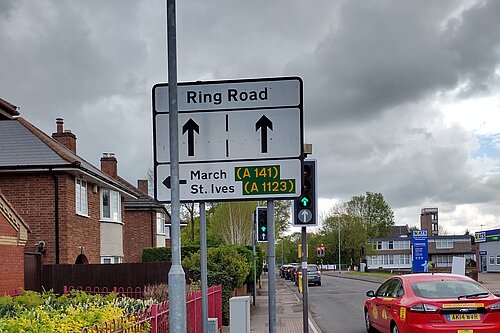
{"x": 271, "y": 264}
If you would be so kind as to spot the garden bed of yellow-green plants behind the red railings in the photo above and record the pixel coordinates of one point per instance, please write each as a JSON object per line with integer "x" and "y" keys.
{"x": 47, "y": 312}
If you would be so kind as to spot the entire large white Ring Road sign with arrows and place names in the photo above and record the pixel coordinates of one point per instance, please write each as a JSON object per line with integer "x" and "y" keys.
{"x": 238, "y": 140}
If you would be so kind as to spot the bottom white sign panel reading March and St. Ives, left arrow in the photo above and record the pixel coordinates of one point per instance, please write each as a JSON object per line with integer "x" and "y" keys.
{"x": 232, "y": 180}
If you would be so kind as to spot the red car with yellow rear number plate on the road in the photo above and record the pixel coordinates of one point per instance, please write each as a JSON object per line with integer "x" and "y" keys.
{"x": 443, "y": 303}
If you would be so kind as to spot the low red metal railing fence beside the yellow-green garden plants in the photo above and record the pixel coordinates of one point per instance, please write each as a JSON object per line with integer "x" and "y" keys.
{"x": 156, "y": 317}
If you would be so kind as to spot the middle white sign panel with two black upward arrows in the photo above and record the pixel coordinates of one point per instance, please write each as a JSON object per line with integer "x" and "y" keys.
{"x": 222, "y": 135}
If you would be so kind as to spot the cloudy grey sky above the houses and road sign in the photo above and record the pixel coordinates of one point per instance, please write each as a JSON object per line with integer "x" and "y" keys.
{"x": 401, "y": 97}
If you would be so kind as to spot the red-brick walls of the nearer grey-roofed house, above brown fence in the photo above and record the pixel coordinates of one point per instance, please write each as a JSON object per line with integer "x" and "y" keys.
{"x": 32, "y": 195}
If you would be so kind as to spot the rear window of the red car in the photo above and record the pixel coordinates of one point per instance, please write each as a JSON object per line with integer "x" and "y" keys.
{"x": 437, "y": 289}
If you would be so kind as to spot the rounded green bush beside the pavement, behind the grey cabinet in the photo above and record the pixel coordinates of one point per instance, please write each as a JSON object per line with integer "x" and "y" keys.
{"x": 226, "y": 266}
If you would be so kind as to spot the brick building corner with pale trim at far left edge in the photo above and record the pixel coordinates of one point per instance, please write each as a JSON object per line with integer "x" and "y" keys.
{"x": 13, "y": 237}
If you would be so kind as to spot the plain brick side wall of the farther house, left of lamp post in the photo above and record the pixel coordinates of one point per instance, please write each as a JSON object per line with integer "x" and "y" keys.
{"x": 139, "y": 229}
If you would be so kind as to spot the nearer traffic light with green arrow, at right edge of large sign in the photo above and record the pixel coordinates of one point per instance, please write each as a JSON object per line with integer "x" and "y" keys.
{"x": 305, "y": 208}
